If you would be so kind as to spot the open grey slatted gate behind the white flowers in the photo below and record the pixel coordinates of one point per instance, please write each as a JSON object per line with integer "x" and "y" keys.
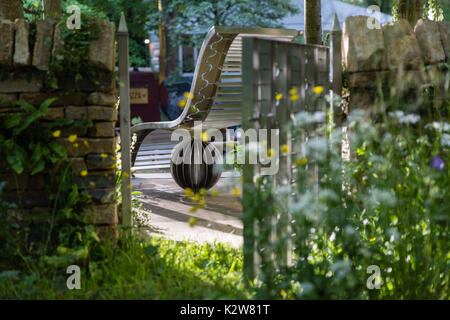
{"x": 281, "y": 79}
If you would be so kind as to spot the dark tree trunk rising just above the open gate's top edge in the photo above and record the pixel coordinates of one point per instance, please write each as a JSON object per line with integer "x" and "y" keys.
{"x": 313, "y": 22}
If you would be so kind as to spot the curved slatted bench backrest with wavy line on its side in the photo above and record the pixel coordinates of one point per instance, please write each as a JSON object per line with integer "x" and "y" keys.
{"x": 220, "y": 55}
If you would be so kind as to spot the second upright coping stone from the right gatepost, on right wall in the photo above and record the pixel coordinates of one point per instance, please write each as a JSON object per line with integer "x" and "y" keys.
{"x": 402, "y": 47}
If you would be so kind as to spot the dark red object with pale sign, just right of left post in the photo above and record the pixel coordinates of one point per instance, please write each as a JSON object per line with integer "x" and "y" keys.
{"x": 146, "y": 95}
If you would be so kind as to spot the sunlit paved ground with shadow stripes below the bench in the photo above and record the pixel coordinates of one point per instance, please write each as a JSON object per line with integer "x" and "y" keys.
{"x": 218, "y": 221}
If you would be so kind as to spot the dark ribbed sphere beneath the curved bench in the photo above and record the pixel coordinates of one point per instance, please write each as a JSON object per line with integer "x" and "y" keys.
{"x": 196, "y": 165}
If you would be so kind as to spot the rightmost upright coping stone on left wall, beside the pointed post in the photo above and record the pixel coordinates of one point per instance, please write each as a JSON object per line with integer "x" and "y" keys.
{"x": 102, "y": 51}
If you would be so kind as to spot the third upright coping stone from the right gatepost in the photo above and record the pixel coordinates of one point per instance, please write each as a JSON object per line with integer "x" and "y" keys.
{"x": 429, "y": 38}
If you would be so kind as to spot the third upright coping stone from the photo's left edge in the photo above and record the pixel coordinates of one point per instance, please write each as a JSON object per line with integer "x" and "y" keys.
{"x": 43, "y": 44}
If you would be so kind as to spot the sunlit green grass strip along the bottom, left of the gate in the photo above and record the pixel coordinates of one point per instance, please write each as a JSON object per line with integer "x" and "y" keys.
{"x": 141, "y": 269}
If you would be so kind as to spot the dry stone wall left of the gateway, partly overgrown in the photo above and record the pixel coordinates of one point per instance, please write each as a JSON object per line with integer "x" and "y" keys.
{"x": 25, "y": 58}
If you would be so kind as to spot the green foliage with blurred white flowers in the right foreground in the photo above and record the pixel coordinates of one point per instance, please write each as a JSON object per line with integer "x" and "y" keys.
{"x": 387, "y": 205}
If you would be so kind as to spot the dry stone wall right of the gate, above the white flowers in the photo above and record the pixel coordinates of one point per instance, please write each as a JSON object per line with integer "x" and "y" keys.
{"x": 396, "y": 56}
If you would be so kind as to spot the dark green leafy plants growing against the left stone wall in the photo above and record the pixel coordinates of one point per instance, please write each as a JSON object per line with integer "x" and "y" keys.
{"x": 28, "y": 149}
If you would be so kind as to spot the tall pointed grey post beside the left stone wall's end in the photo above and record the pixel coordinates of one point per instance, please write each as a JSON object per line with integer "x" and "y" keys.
{"x": 125, "y": 136}
